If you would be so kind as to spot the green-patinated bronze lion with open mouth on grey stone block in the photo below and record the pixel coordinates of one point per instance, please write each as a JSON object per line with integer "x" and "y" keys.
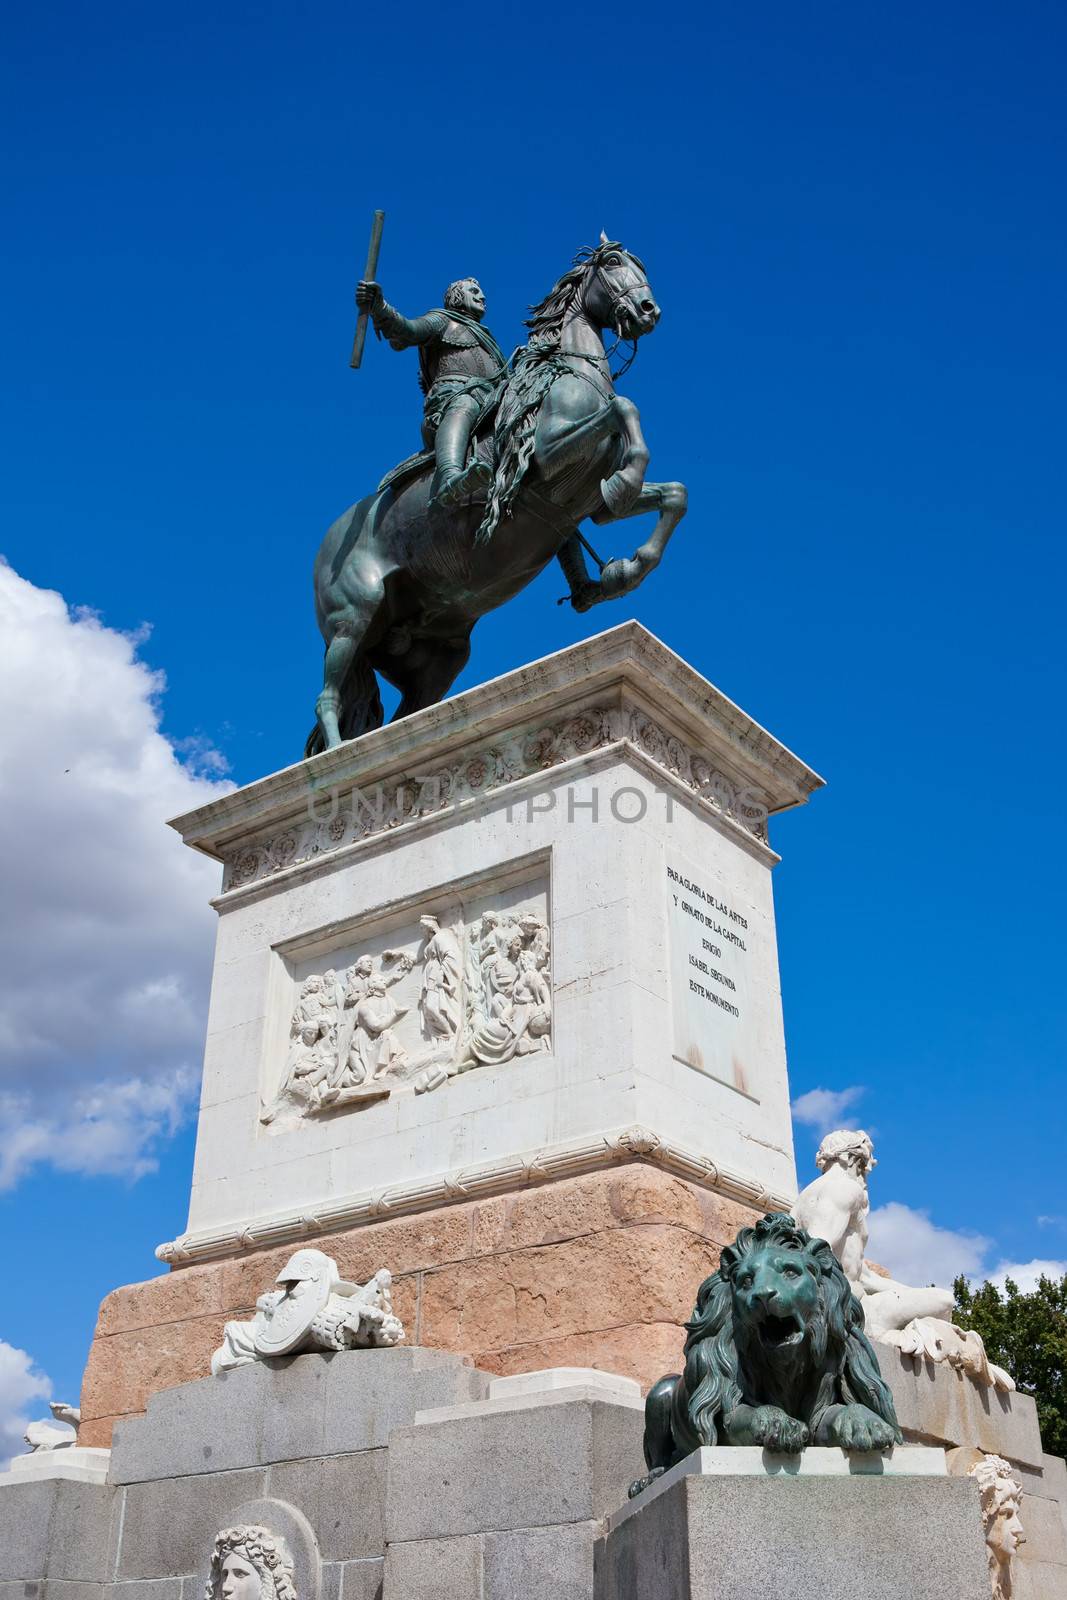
{"x": 775, "y": 1356}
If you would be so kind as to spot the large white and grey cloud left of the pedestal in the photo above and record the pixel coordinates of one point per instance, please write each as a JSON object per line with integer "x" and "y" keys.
{"x": 106, "y": 938}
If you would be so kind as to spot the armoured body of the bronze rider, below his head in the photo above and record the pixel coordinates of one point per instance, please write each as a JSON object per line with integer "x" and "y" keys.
{"x": 462, "y": 369}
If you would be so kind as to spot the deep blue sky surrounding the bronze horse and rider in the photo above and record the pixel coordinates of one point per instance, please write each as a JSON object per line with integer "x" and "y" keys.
{"x": 853, "y": 222}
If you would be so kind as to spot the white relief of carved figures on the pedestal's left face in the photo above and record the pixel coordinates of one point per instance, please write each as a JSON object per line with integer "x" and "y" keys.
{"x": 481, "y": 996}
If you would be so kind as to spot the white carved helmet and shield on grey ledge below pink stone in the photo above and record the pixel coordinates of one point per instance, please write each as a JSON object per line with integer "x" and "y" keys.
{"x": 314, "y": 1310}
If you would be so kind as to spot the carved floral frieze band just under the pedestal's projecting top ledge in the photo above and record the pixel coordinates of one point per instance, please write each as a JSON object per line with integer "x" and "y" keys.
{"x": 346, "y": 820}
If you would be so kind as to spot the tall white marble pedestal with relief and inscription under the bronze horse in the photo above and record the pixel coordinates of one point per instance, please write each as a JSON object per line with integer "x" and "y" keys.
{"x": 601, "y": 820}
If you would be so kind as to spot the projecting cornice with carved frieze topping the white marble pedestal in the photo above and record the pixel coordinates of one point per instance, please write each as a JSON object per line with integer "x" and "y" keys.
{"x": 623, "y": 687}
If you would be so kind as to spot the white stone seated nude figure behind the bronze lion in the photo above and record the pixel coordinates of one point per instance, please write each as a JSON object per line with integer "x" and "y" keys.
{"x": 914, "y": 1321}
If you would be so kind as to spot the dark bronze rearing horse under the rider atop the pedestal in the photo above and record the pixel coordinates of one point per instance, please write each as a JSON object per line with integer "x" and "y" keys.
{"x": 399, "y": 585}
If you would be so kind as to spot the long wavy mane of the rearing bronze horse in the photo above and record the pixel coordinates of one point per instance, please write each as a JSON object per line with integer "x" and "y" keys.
{"x": 535, "y": 369}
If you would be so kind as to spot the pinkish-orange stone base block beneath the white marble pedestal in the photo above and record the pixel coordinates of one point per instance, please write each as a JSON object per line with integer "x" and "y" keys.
{"x": 597, "y": 1271}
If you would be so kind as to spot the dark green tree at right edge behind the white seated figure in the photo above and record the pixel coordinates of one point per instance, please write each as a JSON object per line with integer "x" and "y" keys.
{"x": 1028, "y": 1335}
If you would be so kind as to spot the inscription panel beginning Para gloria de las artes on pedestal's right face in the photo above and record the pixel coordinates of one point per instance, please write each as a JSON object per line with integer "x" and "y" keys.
{"x": 709, "y": 977}
